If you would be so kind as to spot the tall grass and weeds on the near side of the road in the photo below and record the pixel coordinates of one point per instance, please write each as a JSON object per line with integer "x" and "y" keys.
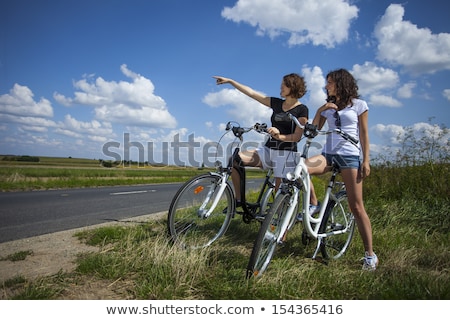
{"x": 407, "y": 199}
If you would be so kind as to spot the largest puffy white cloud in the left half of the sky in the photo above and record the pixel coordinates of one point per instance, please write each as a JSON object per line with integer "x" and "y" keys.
{"x": 130, "y": 103}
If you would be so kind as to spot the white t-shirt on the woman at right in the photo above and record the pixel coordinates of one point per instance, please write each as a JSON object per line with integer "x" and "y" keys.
{"x": 335, "y": 144}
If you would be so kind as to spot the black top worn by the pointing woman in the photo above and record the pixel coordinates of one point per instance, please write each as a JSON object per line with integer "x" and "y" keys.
{"x": 285, "y": 127}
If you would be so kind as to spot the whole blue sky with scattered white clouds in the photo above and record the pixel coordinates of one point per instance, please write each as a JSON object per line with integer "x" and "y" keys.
{"x": 121, "y": 79}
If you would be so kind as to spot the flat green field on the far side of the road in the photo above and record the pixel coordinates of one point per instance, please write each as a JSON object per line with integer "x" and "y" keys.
{"x": 54, "y": 173}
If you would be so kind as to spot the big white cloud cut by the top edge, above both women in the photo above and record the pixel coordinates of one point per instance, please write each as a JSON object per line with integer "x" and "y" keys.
{"x": 324, "y": 22}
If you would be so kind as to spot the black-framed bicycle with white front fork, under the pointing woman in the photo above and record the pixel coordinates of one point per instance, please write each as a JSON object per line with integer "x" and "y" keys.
{"x": 202, "y": 209}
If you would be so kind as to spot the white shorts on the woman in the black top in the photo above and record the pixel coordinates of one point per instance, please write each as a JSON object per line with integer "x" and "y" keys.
{"x": 281, "y": 161}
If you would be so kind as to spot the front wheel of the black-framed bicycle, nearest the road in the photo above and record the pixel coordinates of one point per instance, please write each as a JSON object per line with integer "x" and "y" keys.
{"x": 187, "y": 224}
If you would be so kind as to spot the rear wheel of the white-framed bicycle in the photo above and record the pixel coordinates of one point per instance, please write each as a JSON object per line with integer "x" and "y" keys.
{"x": 337, "y": 217}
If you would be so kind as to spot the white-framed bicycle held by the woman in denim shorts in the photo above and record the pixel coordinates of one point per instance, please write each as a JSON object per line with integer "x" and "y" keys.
{"x": 332, "y": 227}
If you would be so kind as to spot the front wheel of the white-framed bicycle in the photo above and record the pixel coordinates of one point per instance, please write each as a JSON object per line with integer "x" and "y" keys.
{"x": 266, "y": 241}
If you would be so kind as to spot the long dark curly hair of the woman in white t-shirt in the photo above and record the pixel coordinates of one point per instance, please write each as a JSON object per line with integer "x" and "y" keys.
{"x": 346, "y": 87}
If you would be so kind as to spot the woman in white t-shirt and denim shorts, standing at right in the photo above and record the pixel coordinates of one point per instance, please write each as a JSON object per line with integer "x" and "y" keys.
{"x": 346, "y": 111}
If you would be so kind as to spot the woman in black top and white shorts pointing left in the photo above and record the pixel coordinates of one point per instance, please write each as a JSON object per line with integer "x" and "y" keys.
{"x": 284, "y": 135}
